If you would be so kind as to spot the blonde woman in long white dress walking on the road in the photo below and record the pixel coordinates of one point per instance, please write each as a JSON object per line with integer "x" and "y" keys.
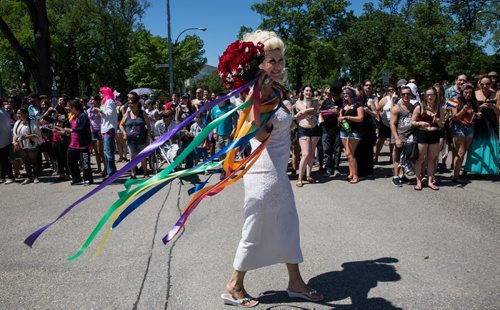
{"x": 270, "y": 233}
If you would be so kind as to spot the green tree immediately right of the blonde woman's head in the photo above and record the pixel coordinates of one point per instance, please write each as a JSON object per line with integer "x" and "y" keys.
{"x": 300, "y": 23}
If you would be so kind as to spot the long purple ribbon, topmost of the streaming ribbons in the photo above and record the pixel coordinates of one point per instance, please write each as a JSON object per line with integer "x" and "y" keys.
{"x": 30, "y": 240}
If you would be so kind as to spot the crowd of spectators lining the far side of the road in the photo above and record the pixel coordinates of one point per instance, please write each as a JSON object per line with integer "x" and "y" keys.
{"x": 46, "y": 139}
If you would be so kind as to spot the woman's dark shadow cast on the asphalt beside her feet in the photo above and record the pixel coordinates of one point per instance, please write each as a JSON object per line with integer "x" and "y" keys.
{"x": 355, "y": 282}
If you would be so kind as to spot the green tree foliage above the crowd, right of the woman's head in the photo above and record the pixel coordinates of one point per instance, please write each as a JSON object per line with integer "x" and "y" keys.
{"x": 429, "y": 40}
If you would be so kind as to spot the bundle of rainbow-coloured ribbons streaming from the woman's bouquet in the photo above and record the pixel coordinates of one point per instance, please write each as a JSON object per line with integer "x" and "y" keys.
{"x": 247, "y": 128}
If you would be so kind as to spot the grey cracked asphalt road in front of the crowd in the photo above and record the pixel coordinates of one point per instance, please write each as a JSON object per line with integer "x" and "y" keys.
{"x": 366, "y": 246}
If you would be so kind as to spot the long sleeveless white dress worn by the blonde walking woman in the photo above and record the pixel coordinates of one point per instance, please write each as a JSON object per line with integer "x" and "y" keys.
{"x": 270, "y": 233}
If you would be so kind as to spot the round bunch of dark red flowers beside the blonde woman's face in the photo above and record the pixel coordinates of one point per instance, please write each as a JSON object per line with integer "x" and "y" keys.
{"x": 240, "y": 63}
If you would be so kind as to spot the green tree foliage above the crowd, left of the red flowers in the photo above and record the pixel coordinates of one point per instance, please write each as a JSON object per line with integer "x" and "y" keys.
{"x": 94, "y": 43}
